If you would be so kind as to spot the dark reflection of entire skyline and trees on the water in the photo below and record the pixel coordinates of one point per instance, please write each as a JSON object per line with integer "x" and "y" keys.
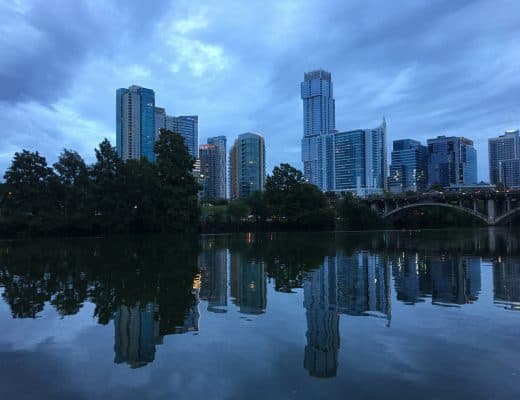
{"x": 149, "y": 289}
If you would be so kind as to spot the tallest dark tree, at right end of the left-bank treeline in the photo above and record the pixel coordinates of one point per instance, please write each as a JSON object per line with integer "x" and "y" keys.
{"x": 179, "y": 207}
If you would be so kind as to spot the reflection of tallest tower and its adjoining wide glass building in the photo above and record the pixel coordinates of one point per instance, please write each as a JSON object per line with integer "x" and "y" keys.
{"x": 356, "y": 285}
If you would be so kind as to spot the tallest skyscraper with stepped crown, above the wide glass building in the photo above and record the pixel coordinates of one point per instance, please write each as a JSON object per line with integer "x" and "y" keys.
{"x": 318, "y": 119}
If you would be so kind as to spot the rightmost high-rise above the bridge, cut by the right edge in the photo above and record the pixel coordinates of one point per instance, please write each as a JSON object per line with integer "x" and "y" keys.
{"x": 504, "y": 153}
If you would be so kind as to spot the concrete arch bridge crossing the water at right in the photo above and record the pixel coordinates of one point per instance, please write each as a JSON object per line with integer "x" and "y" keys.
{"x": 491, "y": 207}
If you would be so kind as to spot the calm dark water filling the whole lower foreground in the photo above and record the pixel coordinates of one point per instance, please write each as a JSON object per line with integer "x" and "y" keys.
{"x": 431, "y": 314}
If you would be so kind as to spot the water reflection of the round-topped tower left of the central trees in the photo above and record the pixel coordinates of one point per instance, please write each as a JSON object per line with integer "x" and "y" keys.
{"x": 248, "y": 284}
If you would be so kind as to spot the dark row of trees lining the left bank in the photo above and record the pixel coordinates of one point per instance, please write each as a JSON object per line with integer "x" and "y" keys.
{"x": 107, "y": 196}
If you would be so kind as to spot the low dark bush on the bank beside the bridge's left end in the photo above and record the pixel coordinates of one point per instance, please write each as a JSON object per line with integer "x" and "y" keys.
{"x": 355, "y": 214}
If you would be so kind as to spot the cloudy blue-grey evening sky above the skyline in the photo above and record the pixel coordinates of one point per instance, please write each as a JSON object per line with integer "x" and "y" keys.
{"x": 430, "y": 67}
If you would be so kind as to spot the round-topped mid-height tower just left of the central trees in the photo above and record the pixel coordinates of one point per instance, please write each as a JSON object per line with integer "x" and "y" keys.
{"x": 246, "y": 165}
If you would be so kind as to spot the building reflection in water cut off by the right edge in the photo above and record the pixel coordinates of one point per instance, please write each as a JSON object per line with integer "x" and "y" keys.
{"x": 506, "y": 282}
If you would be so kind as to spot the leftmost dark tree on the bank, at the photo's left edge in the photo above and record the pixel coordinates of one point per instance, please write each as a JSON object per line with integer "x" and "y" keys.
{"x": 31, "y": 201}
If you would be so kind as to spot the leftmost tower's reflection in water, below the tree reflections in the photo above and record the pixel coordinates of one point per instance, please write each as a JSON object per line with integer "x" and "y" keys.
{"x": 136, "y": 334}
